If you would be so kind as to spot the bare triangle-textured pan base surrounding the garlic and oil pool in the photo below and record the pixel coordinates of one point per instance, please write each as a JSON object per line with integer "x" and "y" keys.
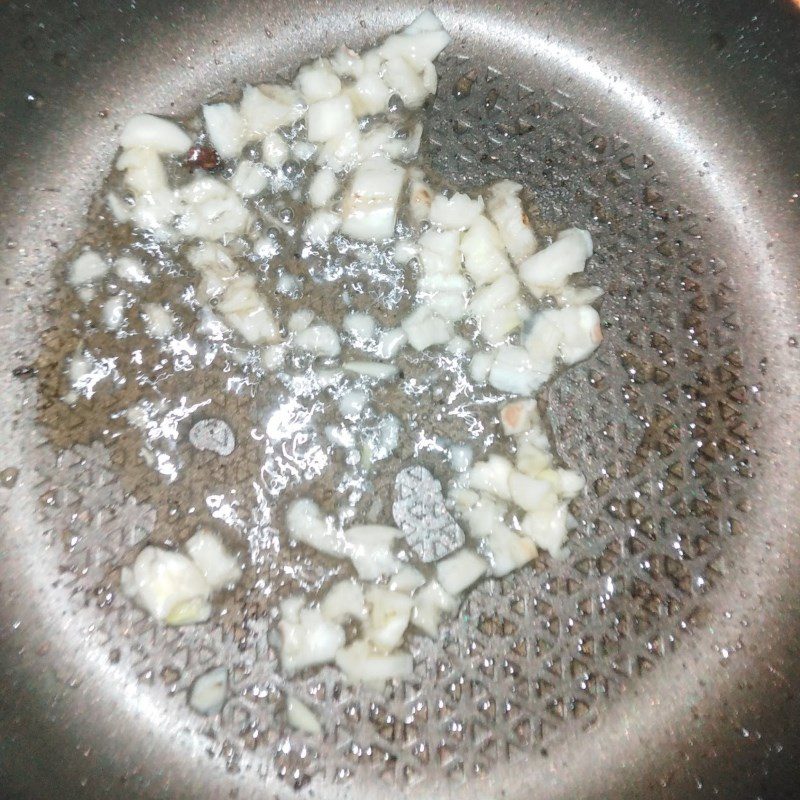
{"x": 654, "y": 420}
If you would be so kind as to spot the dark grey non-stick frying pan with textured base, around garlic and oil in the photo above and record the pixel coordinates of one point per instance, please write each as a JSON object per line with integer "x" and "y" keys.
{"x": 661, "y": 659}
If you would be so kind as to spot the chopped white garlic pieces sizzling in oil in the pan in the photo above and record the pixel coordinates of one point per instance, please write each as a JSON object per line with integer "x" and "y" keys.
{"x": 474, "y": 257}
